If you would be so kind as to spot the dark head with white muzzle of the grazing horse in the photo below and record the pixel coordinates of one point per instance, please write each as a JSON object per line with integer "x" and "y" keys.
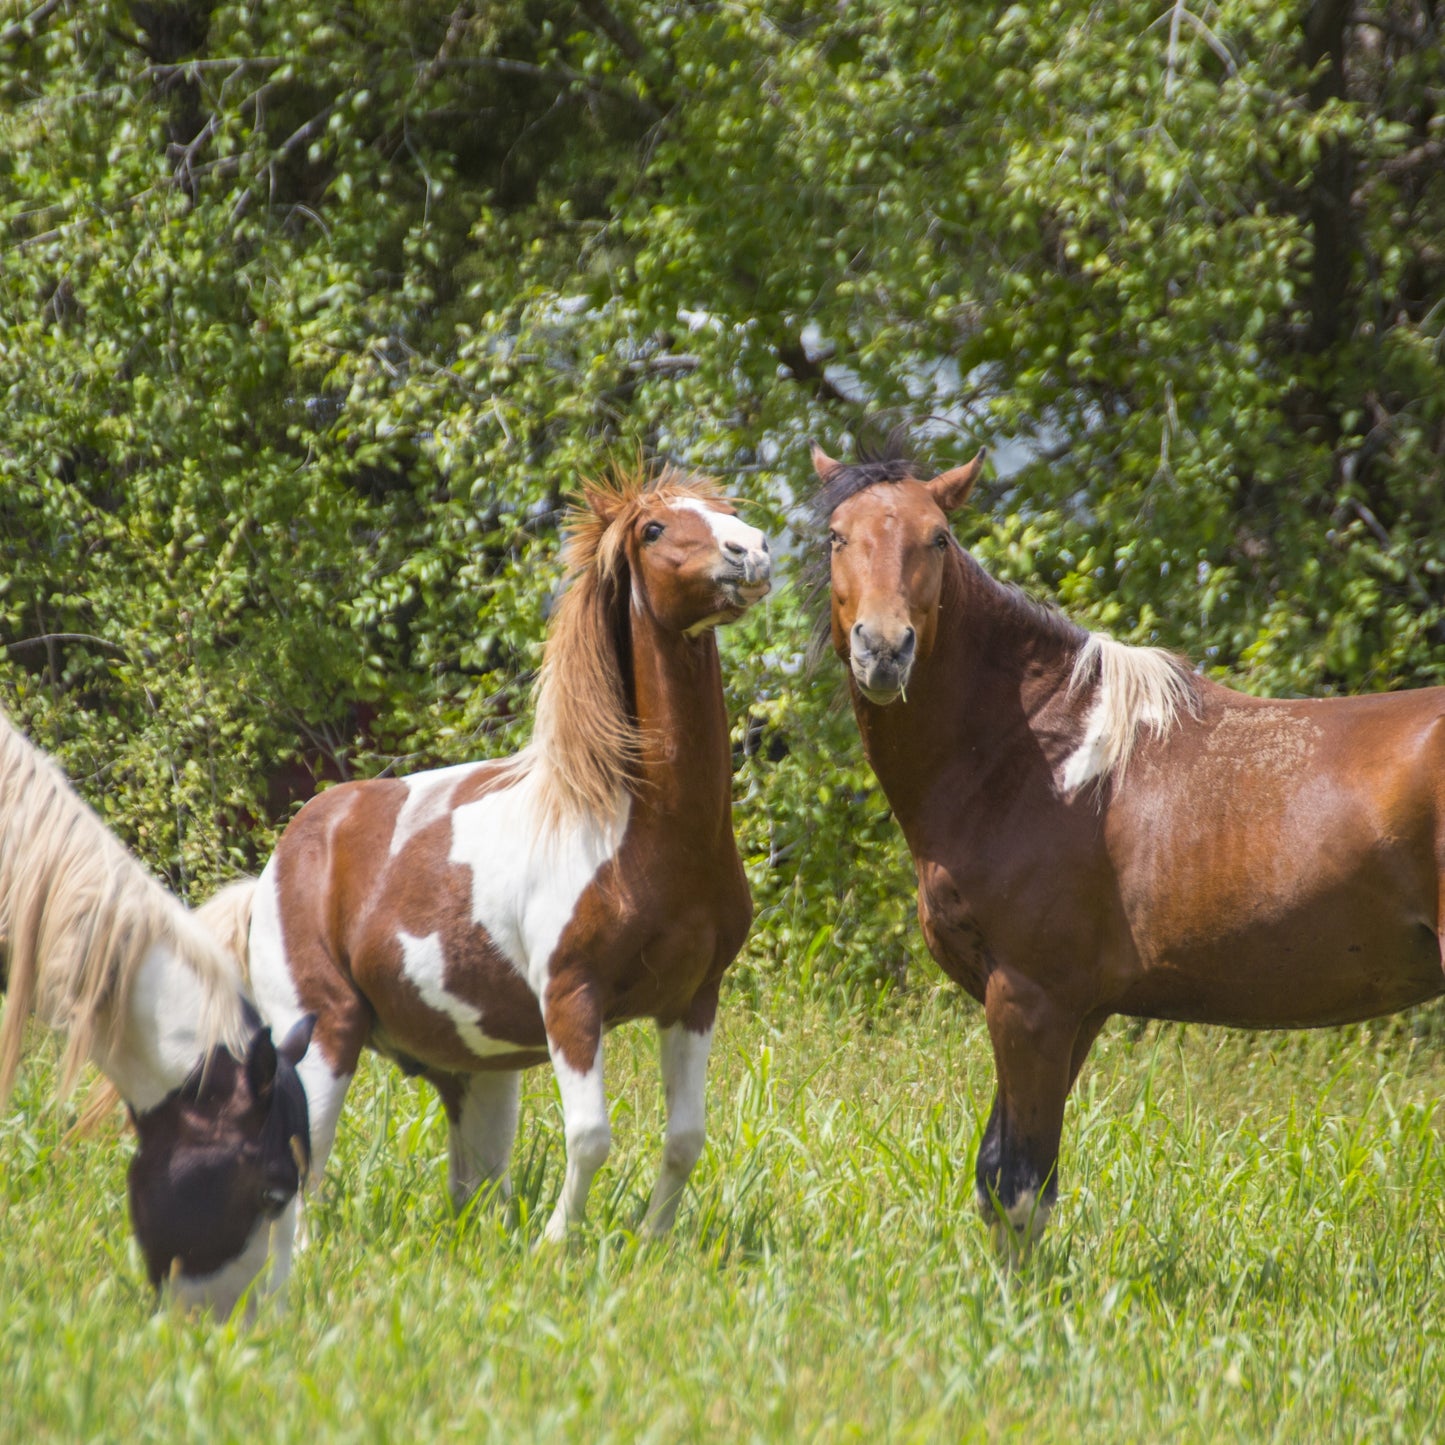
{"x": 219, "y": 1161}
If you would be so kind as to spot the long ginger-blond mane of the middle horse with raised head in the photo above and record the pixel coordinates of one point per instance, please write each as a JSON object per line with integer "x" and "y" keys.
{"x": 585, "y": 745}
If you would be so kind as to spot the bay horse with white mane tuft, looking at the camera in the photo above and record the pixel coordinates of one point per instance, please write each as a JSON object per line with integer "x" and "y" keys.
{"x": 1100, "y": 832}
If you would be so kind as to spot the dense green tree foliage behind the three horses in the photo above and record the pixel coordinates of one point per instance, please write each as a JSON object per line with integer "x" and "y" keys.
{"x": 313, "y": 319}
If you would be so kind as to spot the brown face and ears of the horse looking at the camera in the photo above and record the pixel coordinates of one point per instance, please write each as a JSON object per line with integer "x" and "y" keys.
{"x": 887, "y": 595}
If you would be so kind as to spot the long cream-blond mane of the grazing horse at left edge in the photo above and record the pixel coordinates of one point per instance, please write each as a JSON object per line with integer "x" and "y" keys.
{"x": 77, "y": 918}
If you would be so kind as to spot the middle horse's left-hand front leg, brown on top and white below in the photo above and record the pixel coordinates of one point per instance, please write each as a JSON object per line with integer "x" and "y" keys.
{"x": 574, "y": 1038}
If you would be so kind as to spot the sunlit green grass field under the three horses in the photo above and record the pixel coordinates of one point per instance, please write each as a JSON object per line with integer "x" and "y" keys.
{"x": 1251, "y": 1245}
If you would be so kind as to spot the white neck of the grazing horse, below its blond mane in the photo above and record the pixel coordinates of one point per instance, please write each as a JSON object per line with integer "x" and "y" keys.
{"x": 163, "y": 1034}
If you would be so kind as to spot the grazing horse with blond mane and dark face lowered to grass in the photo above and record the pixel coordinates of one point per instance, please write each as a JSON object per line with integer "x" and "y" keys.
{"x": 99, "y": 950}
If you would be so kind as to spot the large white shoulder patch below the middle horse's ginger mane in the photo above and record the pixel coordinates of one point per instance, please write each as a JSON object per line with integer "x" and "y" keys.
{"x": 527, "y": 879}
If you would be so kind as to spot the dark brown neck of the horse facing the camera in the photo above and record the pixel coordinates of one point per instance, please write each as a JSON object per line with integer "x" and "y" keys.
{"x": 986, "y": 703}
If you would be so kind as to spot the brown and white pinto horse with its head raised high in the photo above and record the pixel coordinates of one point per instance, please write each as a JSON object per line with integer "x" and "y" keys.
{"x": 485, "y": 918}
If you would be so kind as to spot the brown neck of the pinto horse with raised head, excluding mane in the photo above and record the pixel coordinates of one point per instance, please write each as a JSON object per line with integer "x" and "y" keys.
{"x": 686, "y": 761}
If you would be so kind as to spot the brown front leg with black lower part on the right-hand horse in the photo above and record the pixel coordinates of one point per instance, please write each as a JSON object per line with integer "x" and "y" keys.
{"x": 1037, "y": 1057}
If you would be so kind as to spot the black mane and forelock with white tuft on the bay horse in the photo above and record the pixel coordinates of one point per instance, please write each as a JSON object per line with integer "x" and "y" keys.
{"x": 1138, "y": 687}
